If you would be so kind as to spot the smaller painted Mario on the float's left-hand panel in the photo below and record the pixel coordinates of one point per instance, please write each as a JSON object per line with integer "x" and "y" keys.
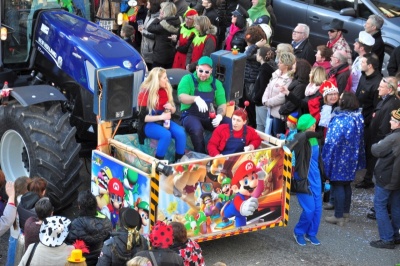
{"x": 116, "y": 191}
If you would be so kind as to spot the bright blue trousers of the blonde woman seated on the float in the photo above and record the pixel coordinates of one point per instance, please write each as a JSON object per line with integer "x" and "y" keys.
{"x": 164, "y": 136}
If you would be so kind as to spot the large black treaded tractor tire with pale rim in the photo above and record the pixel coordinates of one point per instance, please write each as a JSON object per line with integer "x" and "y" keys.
{"x": 38, "y": 140}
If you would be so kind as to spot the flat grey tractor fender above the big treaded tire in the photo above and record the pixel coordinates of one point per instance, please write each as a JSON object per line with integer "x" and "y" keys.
{"x": 34, "y": 94}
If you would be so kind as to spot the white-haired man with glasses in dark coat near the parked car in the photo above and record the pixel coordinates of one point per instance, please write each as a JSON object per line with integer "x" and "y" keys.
{"x": 301, "y": 44}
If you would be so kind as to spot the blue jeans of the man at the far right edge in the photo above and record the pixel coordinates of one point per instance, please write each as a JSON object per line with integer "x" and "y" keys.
{"x": 388, "y": 229}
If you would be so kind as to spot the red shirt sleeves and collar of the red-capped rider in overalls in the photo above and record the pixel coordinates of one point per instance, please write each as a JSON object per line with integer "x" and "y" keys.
{"x": 221, "y": 134}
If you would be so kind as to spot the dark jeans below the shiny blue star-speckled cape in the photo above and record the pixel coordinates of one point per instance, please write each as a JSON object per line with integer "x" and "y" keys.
{"x": 342, "y": 198}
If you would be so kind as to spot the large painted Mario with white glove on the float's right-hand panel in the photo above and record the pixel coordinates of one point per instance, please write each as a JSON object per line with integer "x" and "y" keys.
{"x": 248, "y": 185}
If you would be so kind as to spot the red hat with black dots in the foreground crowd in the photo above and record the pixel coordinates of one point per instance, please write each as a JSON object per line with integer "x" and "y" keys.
{"x": 161, "y": 235}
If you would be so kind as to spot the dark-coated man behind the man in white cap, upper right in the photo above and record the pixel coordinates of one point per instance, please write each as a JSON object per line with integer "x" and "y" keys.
{"x": 373, "y": 26}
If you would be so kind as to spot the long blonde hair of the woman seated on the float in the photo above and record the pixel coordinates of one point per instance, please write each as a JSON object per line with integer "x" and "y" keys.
{"x": 151, "y": 85}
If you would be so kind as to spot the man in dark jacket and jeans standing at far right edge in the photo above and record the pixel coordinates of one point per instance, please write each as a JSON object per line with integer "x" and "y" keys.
{"x": 387, "y": 190}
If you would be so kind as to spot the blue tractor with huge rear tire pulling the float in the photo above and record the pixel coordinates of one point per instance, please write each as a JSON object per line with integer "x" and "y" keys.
{"x": 49, "y": 57}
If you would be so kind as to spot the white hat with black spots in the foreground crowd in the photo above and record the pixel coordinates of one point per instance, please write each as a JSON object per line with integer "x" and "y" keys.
{"x": 54, "y": 230}
